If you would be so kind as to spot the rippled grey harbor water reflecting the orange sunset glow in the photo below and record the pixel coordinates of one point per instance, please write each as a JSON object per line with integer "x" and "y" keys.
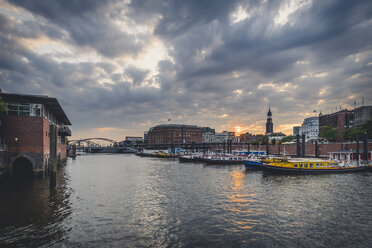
{"x": 121, "y": 200}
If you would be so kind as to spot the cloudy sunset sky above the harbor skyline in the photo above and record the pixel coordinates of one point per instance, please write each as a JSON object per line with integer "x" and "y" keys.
{"x": 120, "y": 67}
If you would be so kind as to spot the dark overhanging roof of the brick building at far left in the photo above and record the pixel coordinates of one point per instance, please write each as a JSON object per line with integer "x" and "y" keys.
{"x": 51, "y": 102}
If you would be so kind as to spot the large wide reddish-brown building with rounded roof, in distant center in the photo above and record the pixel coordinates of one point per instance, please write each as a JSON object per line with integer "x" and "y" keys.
{"x": 175, "y": 134}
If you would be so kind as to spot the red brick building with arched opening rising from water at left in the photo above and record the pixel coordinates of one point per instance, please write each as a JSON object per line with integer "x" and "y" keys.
{"x": 33, "y": 130}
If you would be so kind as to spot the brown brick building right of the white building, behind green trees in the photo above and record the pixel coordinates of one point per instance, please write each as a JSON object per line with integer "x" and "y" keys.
{"x": 339, "y": 120}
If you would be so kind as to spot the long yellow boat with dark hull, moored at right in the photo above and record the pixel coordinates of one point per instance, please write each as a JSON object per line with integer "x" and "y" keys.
{"x": 308, "y": 165}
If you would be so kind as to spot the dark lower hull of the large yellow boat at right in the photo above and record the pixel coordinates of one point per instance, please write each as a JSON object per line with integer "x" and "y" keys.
{"x": 277, "y": 169}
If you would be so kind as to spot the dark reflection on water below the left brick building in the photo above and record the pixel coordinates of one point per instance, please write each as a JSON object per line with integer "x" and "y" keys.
{"x": 31, "y": 213}
